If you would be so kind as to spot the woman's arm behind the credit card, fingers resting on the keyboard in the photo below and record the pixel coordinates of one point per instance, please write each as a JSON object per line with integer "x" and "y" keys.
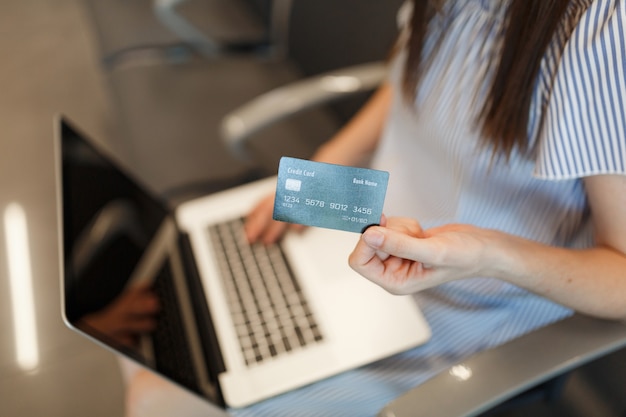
{"x": 352, "y": 145}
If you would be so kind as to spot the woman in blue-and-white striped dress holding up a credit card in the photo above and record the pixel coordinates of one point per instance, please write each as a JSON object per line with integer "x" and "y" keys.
{"x": 503, "y": 126}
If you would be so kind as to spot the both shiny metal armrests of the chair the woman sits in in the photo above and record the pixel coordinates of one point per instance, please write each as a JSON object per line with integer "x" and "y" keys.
{"x": 490, "y": 380}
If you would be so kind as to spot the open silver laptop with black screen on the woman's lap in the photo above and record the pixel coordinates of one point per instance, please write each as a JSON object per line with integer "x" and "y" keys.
{"x": 234, "y": 323}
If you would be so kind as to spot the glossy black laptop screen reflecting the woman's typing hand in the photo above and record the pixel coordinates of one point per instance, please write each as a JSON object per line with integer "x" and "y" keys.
{"x": 109, "y": 221}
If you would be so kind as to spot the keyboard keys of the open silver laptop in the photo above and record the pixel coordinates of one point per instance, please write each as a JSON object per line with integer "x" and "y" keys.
{"x": 268, "y": 307}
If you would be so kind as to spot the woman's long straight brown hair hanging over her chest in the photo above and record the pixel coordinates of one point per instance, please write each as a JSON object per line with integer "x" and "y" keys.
{"x": 530, "y": 25}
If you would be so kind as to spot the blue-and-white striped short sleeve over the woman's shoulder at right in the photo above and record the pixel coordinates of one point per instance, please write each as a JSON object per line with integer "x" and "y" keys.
{"x": 586, "y": 111}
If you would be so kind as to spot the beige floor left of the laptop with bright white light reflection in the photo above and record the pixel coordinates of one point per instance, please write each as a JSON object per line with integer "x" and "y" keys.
{"x": 47, "y": 66}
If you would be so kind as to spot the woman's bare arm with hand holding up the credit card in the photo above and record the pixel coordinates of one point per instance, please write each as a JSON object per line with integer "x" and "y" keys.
{"x": 403, "y": 259}
